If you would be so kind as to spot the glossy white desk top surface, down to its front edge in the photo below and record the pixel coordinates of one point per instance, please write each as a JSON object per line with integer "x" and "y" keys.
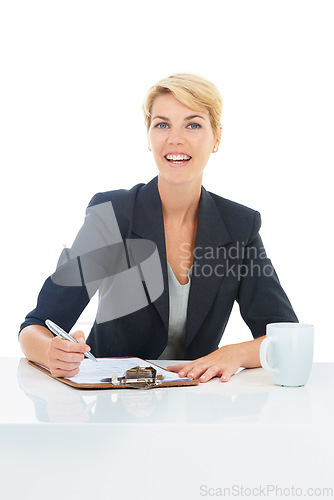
{"x": 249, "y": 398}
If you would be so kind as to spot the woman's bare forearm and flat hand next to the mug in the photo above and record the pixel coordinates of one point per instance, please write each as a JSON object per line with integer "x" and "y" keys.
{"x": 223, "y": 362}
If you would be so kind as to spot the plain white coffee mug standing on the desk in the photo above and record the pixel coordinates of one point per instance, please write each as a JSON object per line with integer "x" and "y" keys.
{"x": 287, "y": 353}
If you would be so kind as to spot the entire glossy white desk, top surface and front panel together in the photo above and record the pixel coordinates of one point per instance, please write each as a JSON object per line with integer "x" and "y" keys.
{"x": 174, "y": 443}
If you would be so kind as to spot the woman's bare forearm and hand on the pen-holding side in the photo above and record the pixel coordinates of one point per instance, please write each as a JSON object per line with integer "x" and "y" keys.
{"x": 62, "y": 357}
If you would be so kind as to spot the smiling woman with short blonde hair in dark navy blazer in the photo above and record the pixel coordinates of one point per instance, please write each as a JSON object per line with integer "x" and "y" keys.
{"x": 210, "y": 251}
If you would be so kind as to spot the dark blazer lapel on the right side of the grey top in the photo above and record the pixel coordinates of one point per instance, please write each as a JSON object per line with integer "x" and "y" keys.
{"x": 211, "y": 234}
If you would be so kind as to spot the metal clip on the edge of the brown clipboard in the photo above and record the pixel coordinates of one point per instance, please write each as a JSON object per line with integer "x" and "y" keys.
{"x": 138, "y": 377}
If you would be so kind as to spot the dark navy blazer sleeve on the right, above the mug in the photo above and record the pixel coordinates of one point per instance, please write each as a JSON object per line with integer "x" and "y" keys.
{"x": 261, "y": 297}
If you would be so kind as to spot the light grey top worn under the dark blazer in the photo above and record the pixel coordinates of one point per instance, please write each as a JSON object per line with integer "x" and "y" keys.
{"x": 178, "y": 305}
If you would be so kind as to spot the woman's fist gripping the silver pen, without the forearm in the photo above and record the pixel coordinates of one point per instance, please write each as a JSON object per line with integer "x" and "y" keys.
{"x": 64, "y": 356}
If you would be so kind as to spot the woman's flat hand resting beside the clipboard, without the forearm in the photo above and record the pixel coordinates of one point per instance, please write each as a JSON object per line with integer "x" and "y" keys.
{"x": 223, "y": 363}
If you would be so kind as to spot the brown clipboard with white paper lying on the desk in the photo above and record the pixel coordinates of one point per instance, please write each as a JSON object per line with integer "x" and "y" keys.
{"x": 121, "y": 373}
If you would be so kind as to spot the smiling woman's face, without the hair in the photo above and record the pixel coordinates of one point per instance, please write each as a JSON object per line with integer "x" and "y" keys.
{"x": 180, "y": 139}
